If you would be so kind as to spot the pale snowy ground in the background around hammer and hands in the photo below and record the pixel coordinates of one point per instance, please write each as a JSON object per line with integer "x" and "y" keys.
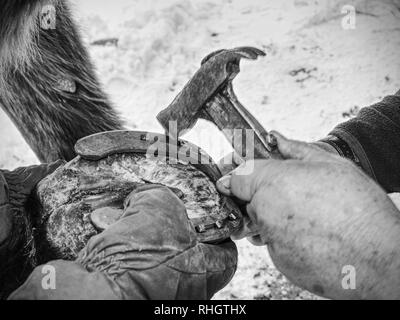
{"x": 316, "y": 74}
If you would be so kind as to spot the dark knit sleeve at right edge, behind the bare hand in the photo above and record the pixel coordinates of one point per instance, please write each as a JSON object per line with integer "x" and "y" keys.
{"x": 374, "y": 139}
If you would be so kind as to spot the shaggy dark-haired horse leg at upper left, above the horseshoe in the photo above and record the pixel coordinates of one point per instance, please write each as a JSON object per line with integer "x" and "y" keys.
{"x": 47, "y": 83}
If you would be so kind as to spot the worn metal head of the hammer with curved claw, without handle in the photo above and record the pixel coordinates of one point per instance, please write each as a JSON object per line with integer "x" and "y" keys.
{"x": 217, "y": 71}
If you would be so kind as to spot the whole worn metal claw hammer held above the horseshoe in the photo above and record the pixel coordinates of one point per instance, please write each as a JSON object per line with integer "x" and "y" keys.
{"x": 209, "y": 95}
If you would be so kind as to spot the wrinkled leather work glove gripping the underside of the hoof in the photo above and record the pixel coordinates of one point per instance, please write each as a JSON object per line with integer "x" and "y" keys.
{"x": 150, "y": 252}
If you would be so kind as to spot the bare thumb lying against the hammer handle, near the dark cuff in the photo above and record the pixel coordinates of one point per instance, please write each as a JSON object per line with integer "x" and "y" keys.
{"x": 297, "y": 150}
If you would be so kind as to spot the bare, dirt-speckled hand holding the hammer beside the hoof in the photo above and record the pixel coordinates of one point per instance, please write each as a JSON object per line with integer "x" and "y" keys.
{"x": 319, "y": 213}
